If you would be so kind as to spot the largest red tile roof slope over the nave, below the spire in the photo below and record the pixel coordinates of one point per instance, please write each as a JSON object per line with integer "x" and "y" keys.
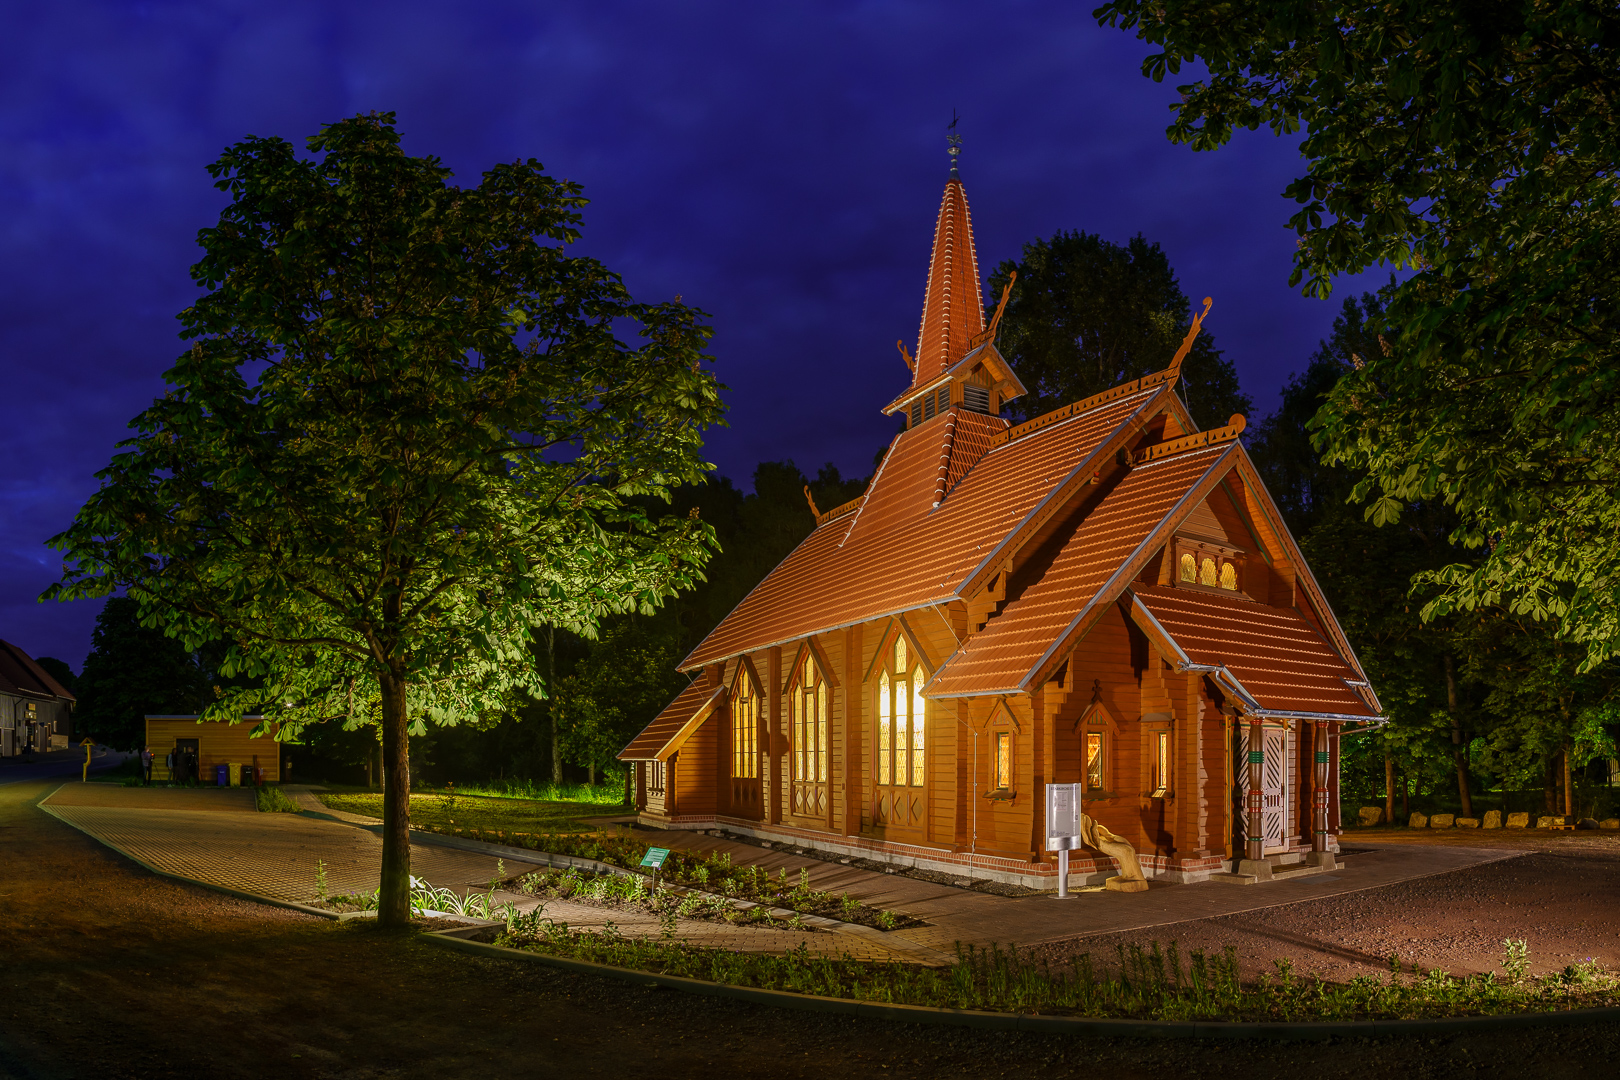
{"x": 900, "y": 551}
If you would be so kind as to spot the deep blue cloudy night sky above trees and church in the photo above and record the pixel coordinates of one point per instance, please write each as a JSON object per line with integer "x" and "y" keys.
{"x": 777, "y": 164}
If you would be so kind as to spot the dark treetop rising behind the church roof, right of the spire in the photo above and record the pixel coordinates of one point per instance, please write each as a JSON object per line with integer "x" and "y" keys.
{"x": 1088, "y": 315}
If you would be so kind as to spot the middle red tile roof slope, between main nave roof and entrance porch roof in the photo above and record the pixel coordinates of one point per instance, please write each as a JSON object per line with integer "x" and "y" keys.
{"x": 1088, "y": 572}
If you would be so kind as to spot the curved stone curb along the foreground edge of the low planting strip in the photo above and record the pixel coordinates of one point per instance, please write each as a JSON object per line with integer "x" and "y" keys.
{"x": 1026, "y": 1023}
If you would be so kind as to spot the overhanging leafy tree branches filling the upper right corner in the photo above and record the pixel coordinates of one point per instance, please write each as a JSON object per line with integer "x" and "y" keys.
{"x": 1475, "y": 148}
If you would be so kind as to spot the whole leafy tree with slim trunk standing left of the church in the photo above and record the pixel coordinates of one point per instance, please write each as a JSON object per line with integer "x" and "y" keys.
{"x": 406, "y": 433}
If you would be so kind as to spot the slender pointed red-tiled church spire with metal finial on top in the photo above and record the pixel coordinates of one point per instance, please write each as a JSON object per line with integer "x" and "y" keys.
{"x": 952, "y": 310}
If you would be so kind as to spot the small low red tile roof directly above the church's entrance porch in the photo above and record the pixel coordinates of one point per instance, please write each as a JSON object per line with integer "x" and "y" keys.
{"x": 1276, "y": 657}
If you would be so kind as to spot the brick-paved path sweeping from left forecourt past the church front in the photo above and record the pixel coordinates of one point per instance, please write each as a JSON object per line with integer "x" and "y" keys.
{"x": 218, "y": 838}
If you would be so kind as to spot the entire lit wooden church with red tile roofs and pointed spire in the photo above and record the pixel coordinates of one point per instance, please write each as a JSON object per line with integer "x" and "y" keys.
{"x": 1031, "y": 579}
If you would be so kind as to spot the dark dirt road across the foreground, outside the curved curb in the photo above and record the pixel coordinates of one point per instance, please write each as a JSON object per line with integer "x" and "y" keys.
{"x": 109, "y": 972}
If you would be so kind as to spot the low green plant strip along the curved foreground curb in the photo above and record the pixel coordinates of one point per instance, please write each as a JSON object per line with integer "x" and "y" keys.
{"x": 1146, "y": 982}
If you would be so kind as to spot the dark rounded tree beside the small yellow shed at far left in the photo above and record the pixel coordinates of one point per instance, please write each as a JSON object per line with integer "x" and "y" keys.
{"x": 134, "y": 671}
